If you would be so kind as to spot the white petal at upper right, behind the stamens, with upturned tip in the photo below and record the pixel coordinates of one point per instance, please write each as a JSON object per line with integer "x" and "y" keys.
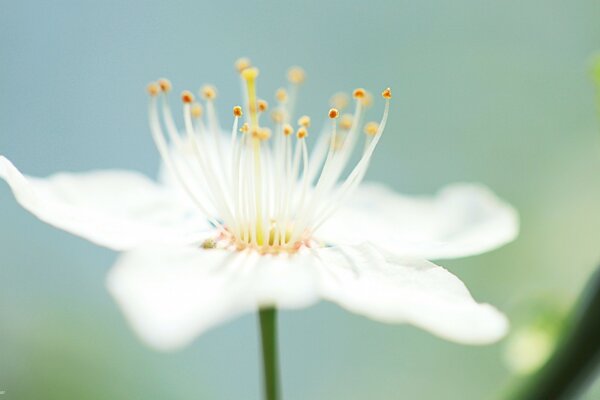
{"x": 461, "y": 220}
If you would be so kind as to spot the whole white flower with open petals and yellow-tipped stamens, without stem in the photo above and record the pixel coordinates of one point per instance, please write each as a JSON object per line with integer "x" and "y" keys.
{"x": 251, "y": 219}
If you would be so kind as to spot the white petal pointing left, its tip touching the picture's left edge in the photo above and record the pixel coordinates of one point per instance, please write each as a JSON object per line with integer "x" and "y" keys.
{"x": 116, "y": 209}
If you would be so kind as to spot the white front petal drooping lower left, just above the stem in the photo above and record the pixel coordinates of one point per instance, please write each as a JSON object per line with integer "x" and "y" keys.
{"x": 171, "y": 295}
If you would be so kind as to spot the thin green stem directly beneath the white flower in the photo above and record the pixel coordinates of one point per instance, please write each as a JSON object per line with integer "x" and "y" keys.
{"x": 268, "y": 333}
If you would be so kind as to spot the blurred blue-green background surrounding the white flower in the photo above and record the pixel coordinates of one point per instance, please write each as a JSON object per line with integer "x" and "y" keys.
{"x": 490, "y": 91}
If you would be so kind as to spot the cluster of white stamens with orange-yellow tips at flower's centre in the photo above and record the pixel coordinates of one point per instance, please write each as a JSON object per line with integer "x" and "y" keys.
{"x": 260, "y": 186}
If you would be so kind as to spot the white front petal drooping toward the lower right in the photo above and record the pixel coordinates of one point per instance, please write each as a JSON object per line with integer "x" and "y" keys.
{"x": 408, "y": 290}
